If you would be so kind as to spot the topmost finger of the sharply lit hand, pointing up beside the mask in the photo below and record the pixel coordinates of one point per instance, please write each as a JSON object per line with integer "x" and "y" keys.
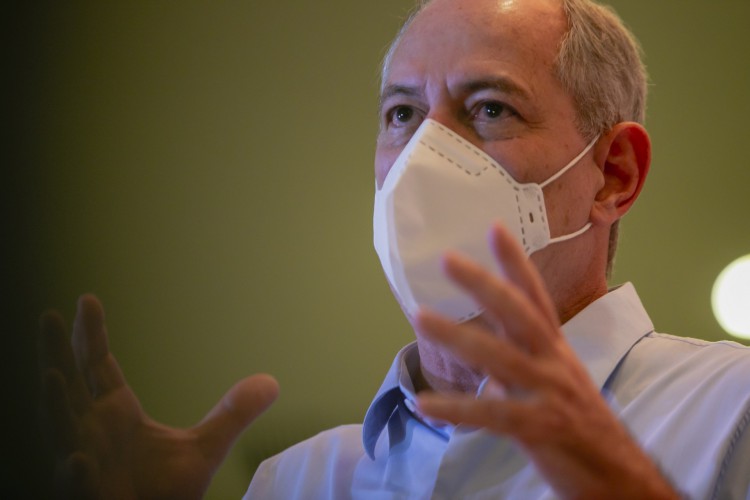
{"x": 519, "y": 270}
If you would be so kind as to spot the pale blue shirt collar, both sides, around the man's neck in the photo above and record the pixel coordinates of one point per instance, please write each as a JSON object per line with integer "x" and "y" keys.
{"x": 601, "y": 335}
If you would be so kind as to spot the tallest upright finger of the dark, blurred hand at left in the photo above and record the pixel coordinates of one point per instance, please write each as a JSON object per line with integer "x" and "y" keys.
{"x": 91, "y": 348}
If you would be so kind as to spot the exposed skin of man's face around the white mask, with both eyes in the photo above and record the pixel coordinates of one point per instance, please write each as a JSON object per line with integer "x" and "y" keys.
{"x": 485, "y": 69}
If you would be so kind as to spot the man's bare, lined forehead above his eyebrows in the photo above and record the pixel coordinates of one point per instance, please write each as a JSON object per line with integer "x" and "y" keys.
{"x": 451, "y": 37}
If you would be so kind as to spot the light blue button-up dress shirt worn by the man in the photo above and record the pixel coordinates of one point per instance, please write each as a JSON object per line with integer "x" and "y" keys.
{"x": 686, "y": 401}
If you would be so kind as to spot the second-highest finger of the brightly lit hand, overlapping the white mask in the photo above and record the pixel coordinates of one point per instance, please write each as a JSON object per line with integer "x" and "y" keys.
{"x": 502, "y": 300}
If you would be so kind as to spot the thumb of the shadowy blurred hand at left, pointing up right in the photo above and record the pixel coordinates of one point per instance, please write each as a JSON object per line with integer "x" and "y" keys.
{"x": 242, "y": 404}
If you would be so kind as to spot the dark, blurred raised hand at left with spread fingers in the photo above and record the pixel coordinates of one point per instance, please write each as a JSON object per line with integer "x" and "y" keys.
{"x": 107, "y": 447}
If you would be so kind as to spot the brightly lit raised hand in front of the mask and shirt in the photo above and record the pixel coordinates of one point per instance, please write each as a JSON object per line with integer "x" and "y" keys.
{"x": 548, "y": 404}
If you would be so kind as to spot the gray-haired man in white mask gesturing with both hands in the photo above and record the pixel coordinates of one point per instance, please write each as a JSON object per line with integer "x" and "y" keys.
{"x": 495, "y": 399}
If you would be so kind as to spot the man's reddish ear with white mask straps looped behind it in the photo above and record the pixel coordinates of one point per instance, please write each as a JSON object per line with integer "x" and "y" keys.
{"x": 623, "y": 156}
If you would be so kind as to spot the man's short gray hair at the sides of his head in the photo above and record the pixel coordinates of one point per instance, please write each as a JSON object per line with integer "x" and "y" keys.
{"x": 599, "y": 64}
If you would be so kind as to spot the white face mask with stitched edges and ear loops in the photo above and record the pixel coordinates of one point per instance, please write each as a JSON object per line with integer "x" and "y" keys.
{"x": 441, "y": 194}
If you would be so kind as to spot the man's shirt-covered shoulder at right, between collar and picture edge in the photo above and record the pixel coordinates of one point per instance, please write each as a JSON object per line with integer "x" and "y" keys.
{"x": 687, "y": 401}
